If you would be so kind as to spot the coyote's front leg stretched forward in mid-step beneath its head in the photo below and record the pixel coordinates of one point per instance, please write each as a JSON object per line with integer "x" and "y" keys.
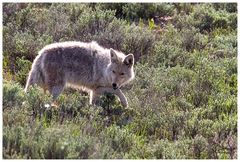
{"x": 118, "y": 92}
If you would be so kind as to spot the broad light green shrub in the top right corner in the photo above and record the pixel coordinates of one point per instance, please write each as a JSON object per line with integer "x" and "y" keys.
{"x": 206, "y": 18}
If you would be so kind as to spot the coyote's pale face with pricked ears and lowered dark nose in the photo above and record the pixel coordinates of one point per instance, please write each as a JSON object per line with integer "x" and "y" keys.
{"x": 120, "y": 70}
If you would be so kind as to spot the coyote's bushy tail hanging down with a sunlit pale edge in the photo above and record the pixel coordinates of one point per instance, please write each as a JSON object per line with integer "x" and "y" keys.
{"x": 36, "y": 74}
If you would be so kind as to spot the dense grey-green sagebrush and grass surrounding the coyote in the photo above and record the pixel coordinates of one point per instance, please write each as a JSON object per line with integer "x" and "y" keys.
{"x": 182, "y": 103}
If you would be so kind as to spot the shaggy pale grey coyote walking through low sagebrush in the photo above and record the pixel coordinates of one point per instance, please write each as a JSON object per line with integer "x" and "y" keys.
{"x": 82, "y": 65}
